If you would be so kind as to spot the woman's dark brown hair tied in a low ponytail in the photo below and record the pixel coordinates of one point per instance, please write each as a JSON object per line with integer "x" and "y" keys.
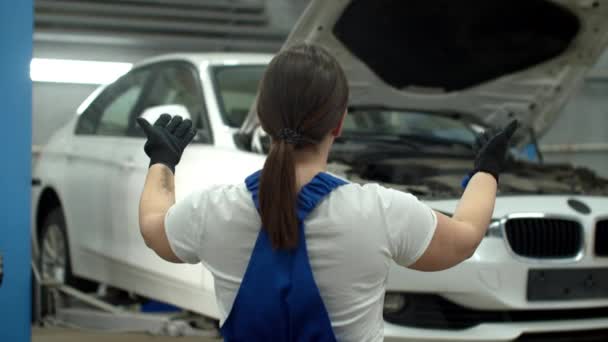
{"x": 304, "y": 93}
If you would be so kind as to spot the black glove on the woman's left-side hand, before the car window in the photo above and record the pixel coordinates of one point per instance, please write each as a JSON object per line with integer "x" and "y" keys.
{"x": 167, "y": 139}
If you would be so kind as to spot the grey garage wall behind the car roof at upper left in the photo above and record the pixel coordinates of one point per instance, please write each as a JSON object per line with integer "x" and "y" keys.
{"x": 131, "y": 30}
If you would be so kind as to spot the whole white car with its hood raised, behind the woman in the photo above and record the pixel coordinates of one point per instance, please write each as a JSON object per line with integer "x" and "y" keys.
{"x": 425, "y": 78}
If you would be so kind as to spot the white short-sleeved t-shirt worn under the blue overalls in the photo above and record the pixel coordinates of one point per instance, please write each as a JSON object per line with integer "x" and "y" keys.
{"x": 352, "y": 236}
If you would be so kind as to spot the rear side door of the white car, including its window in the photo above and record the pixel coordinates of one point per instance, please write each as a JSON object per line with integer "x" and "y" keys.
{"x": 92, "y": 163}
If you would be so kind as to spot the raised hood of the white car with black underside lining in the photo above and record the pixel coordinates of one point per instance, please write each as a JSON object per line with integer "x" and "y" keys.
{"x": 489, "y": 60}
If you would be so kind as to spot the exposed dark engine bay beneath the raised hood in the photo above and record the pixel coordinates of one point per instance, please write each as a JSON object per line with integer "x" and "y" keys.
{"x": 440, "y": 178}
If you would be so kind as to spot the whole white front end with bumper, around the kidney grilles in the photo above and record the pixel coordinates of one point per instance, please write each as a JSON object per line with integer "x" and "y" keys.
{"x": 486, "y": 297}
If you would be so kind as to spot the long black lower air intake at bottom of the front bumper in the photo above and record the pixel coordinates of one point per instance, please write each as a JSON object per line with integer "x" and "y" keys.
{"x": 429, "y": 311}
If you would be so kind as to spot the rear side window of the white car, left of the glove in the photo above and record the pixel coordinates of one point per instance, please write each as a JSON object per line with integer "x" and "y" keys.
{"x": 109, "y": 113}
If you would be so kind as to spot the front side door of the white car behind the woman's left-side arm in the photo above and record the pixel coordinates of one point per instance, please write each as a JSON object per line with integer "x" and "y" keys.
{"x": 174, "y": 84}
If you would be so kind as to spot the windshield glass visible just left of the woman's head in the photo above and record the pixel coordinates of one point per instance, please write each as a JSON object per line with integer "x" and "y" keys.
{"x": 236, "y": 87}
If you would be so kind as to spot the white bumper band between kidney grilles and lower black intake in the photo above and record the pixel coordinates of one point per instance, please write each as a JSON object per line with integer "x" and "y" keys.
{"x": 492, "y": 280}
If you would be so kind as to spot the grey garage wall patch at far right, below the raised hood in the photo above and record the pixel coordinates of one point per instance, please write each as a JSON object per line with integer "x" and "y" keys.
{"x": 580, "y": 134}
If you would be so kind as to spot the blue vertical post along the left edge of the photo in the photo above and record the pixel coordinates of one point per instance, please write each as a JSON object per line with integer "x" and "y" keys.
{"x": 16, "y": 26}
